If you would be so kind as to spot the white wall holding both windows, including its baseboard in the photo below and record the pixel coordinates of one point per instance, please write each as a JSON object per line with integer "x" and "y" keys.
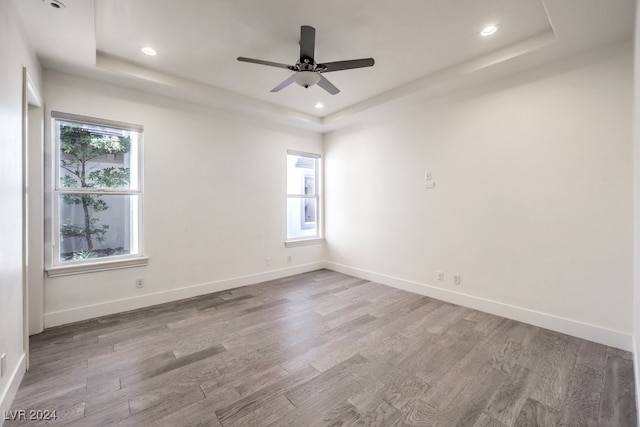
{"x": 214, "y": 201}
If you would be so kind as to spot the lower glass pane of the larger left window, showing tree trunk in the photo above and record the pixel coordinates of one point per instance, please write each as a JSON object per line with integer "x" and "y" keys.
{"x": 97, "y": 225}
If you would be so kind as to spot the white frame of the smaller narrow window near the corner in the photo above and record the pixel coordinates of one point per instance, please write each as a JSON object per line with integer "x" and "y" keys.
{"x": 317, "y": 196}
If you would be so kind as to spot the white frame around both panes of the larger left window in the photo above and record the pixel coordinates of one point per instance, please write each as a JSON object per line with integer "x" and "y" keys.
{"x": 57, "y": 267}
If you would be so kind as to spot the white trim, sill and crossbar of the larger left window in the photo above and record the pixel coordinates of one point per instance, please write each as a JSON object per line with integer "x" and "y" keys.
{"x": 55, "y": 268}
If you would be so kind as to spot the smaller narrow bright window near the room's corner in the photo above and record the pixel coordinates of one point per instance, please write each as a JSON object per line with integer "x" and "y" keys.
{"x": 303, "y": 196}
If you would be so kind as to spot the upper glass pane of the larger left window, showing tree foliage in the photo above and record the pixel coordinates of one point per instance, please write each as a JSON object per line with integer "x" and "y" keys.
{"x": 93, "y": 156}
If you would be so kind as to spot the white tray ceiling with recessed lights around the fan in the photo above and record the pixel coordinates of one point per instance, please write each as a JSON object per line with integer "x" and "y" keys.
{"x": 416, "y": 44}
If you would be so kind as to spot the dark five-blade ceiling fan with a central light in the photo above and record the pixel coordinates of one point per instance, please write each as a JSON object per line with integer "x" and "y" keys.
{"x": 307, "y": 71}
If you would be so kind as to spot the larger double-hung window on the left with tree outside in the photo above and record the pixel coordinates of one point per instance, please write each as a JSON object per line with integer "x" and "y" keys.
{"x": 97, "y": 190}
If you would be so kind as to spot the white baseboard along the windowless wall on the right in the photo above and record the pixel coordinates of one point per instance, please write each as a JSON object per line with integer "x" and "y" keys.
{"x": 574, "y": 328}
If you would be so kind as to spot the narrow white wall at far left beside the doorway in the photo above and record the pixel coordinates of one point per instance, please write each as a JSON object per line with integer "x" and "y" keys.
{"x": 15, "y": 53}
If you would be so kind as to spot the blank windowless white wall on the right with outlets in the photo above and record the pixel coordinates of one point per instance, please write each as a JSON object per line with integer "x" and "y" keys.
{"x": 532, "y": 203}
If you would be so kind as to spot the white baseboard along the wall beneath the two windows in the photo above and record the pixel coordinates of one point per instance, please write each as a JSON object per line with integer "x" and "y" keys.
{"x": 111, "y": 307}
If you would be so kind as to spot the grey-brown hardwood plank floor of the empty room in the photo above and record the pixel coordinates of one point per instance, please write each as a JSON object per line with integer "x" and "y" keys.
{"x": 321, "y": 348}
